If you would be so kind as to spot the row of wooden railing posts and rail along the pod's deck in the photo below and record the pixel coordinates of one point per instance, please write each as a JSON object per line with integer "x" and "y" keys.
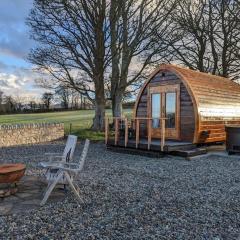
{"x": 134, "y": 123}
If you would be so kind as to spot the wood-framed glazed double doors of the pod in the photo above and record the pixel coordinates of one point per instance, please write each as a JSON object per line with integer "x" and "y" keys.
{"x": 164, "y": 101}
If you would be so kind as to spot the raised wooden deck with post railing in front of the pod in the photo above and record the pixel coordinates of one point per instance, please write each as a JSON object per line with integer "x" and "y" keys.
{"x": 146, "y": 145}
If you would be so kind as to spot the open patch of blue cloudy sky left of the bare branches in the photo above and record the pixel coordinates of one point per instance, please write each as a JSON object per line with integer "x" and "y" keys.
{"x": 16, "y": 74}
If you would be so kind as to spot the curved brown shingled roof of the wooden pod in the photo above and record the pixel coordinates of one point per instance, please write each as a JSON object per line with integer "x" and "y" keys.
{"x": 213, "y": 96}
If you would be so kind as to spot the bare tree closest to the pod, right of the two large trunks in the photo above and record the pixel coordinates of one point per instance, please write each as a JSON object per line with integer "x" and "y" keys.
{"x": 134, "y": 26}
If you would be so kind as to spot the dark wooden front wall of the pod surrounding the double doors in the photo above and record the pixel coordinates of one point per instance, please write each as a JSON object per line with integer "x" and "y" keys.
{"x": 185, "y": 119}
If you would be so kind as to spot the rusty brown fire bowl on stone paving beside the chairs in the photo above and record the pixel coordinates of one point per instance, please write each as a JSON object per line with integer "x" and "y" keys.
{"x": 10, "y": 174}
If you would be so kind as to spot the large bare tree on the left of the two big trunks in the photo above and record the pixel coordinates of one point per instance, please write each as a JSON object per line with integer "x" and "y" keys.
{"x": 71, "y": 36}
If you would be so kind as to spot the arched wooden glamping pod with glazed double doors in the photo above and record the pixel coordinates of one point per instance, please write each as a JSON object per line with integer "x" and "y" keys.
{"x": 196, "y": 105}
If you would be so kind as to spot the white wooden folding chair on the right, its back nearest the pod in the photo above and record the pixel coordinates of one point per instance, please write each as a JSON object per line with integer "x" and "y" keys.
{"x": 65, "y": 174}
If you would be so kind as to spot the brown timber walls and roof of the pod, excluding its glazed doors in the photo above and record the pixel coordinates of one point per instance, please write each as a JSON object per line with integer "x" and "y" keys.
{"x": 207, "y": 103}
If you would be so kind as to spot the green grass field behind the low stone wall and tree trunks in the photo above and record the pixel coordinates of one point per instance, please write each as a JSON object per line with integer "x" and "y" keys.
{"x": 80, "y": 120}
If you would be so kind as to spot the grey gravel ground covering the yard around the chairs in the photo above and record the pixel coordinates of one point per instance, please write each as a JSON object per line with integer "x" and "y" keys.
{"x": 133, "y": 197}
